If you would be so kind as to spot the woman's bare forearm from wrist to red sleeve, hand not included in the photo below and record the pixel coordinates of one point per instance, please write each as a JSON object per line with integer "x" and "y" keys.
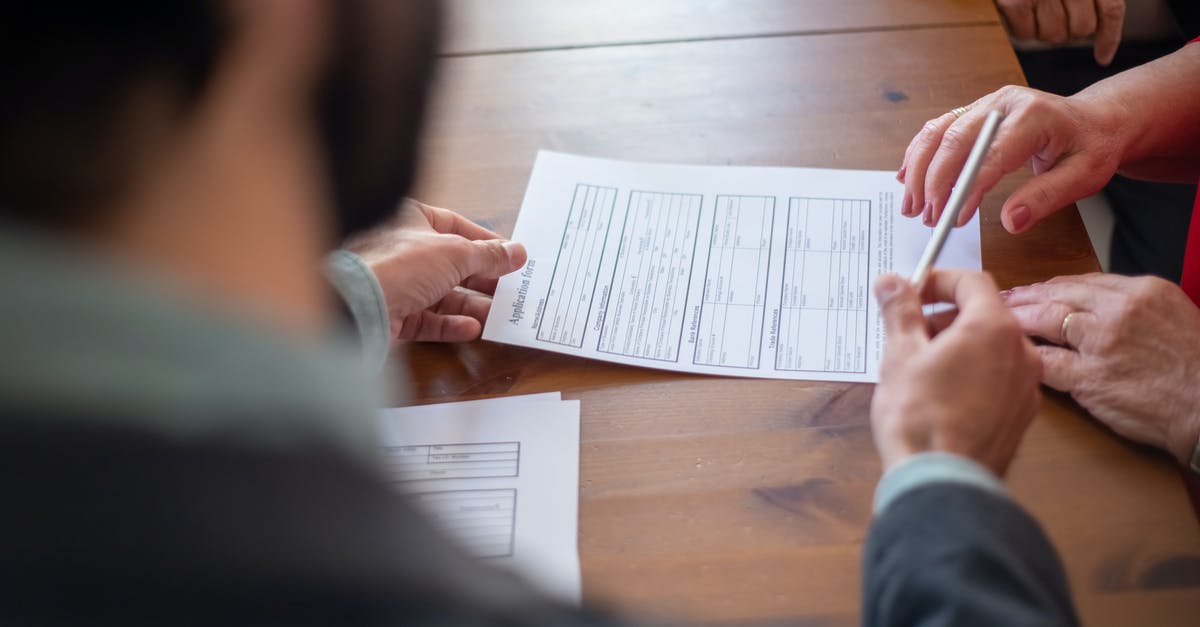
{"x": 1159, "y": 105}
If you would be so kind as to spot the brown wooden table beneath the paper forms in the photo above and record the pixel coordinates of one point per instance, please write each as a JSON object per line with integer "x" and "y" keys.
{"x": 721, "y": 500}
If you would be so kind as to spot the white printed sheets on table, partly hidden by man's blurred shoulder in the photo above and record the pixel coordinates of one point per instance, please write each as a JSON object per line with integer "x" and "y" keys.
{"x": 501, "y": 476}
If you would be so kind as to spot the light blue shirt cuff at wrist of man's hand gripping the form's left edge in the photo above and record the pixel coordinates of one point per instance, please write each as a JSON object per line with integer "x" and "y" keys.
{"x": 364, "y": 297}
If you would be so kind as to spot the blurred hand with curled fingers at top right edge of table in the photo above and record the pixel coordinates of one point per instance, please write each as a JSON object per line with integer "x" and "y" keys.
{"x": 1064, "y": 21}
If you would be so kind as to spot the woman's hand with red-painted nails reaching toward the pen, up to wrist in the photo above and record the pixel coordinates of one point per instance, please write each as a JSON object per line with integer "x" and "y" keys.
{"x": 1076, "y": 146}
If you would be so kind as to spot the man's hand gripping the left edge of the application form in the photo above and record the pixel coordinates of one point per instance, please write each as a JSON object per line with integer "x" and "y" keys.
{"x": 439, "y": 272}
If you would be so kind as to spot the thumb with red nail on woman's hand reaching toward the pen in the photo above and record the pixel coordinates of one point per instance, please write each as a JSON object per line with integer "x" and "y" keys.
{"x": 1067, "y": 182}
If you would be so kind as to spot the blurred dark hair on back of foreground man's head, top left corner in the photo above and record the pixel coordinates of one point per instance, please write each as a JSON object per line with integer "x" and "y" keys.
{"x": 68, "y": 70}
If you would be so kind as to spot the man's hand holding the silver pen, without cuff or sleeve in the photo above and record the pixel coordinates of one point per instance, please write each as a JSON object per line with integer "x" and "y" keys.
{"x": 970, "y": 389}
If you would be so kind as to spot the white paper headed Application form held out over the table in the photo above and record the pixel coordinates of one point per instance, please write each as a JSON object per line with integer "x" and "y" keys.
{"x": 727, "y": 271}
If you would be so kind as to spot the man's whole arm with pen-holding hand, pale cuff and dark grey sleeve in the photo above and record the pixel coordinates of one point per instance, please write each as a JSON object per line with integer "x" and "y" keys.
{"x": 947, "y": 546}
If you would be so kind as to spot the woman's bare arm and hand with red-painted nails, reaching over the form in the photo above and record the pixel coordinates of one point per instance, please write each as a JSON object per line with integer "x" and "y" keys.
{"x": 1144, "y": 122}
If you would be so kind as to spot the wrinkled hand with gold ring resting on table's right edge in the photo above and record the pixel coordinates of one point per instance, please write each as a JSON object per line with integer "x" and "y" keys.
{"x": 1132, "y": 356}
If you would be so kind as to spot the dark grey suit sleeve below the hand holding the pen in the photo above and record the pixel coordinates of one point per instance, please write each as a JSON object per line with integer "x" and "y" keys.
{"x": 952, "y": 553}
